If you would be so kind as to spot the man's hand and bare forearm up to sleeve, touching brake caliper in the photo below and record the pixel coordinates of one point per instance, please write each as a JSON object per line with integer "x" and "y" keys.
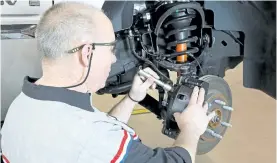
{"x": 193, "y": 122}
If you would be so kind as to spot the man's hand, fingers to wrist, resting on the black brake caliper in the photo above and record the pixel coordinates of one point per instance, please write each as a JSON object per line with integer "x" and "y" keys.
{"x": 195, "y": 117}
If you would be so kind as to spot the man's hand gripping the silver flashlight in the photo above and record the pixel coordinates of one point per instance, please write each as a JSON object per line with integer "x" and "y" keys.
{"x": 141, "y": 85}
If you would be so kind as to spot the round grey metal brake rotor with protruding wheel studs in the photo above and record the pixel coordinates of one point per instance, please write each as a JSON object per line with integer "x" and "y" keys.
{"x": 219, "y": 97}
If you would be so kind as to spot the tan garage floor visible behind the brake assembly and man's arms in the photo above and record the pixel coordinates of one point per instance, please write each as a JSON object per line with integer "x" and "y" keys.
{"x": 250, "y": 140}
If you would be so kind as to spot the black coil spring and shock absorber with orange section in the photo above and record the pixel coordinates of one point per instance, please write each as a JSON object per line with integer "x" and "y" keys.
{"x": 177, "y": 27}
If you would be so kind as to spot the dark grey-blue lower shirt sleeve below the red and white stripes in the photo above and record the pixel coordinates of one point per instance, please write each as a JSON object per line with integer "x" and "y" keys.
{"x": 139, "y": 153}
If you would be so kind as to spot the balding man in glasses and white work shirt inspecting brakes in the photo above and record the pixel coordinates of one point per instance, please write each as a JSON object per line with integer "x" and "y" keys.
{"x": 52, "y": 119}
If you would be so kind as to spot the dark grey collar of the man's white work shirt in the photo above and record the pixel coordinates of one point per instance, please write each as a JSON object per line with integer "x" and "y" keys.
{"x": 49, "y": 93}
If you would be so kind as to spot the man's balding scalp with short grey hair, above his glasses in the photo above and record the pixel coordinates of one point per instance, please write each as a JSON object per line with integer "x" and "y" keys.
{"x": 67, "y": 25}
